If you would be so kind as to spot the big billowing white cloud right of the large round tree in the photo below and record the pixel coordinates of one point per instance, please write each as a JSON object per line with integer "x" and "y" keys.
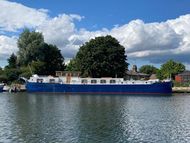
{"x": 156, "y": 42}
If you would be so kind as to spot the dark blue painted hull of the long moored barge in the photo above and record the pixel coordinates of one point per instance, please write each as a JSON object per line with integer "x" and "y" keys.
{"x": 156, "y": 88}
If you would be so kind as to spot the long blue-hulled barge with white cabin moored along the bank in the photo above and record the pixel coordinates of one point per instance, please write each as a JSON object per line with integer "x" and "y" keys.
{"x": 73, "y": 84}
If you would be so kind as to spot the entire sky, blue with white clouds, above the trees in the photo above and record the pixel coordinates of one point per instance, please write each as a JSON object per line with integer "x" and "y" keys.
{"x": 152, "y": 31}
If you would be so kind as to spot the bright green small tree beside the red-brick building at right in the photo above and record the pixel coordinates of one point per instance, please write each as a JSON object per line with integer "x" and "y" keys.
{"x": 170, "y": 69}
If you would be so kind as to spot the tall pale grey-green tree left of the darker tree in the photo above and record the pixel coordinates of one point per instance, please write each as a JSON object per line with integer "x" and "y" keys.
{"x": 28, "y": 44}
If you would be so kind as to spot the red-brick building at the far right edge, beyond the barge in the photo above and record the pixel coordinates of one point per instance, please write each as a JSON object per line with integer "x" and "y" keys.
{"x": 183, "y": 77}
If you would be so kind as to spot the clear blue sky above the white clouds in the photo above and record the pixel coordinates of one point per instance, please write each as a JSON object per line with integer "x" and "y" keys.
{"x": 107, "y": 13}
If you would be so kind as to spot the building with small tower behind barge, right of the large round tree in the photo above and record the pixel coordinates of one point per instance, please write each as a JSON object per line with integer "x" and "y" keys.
{"x": 134, "y": 74}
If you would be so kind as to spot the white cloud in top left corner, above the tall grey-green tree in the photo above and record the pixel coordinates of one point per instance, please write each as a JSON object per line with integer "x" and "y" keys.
{"x": 14, "y": 16}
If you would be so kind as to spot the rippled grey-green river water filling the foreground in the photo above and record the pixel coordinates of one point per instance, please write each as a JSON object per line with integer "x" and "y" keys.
{"x": 54, "y": 118}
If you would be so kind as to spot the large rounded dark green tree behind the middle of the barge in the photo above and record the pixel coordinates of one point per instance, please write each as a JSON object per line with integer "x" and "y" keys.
{"x": 102, "y": 57}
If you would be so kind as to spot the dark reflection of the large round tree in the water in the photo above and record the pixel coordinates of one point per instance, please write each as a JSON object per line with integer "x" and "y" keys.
{"x": 99, "y": 119}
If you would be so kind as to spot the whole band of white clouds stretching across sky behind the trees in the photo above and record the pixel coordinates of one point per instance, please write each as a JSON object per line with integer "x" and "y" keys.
{"x": 153, "y": 42}
